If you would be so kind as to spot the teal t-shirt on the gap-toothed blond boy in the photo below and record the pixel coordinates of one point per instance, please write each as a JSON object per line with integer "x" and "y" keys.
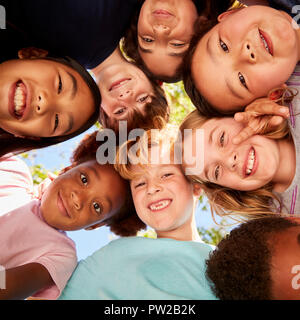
{"x": 137, "y": 268}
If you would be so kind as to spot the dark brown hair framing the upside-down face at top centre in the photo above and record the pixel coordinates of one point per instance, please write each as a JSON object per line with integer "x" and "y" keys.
{"x": 211, "y": 9}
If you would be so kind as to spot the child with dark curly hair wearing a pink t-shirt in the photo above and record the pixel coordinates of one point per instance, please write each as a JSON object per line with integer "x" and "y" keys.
{"x": 35, "y": 251}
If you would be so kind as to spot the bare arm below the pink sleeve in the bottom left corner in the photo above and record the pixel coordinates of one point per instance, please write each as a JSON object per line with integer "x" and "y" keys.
{"x": 23, "y": 281}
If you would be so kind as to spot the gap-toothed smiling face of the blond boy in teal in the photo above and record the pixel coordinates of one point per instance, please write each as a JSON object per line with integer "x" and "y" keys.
{"x": 155, "y": 194}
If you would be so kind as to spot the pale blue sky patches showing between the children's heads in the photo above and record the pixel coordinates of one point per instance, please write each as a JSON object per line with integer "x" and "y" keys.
{"x": 57, "y": 157}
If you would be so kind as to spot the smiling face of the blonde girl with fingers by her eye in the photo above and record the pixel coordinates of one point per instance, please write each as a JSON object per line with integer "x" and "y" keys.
{"x": 247, "y": 166}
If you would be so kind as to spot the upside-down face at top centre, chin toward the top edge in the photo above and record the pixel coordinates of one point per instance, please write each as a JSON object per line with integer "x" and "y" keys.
{"x": 165, "y": 28}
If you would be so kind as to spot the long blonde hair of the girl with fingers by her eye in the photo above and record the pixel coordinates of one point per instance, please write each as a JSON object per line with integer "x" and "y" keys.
{"x": 225, "y": 201}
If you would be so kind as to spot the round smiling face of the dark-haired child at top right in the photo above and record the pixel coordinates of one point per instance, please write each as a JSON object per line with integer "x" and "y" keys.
{"x": 250, "y": 52}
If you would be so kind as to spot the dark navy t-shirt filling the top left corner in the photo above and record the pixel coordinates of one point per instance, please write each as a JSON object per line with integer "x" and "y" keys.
{"x": 87, "y": 31}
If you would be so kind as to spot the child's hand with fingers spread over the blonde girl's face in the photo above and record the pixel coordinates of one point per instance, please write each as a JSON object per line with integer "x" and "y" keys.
{"x": 260, "y": 116}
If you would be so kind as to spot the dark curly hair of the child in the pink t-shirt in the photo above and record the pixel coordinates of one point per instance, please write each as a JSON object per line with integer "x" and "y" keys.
{"x": 125, "y": 222}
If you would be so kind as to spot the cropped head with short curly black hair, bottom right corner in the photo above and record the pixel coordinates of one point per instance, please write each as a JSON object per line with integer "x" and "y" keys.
{"x": 258, "y": 260}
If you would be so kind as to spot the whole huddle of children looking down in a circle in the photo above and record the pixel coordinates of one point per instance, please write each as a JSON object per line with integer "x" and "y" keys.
{"x": 246, "y": 56}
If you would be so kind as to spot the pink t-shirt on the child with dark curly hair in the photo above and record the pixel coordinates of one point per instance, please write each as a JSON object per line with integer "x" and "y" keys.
{"x": 26, "y": 238}
